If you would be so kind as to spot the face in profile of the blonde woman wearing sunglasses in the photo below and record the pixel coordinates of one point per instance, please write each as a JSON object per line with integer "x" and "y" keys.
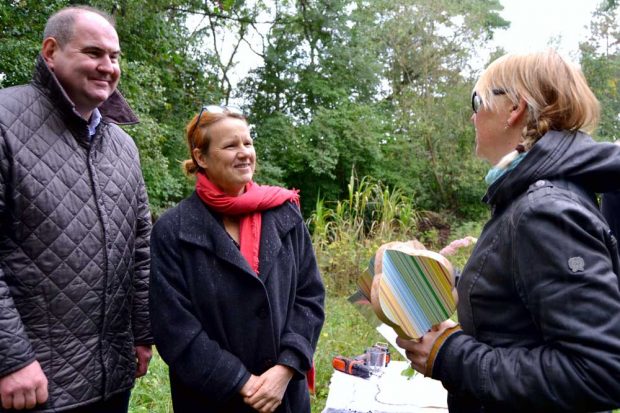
{"x": 493, "y": 134}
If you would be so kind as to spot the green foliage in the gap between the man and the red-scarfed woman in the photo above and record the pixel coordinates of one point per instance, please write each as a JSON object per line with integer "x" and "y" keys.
{"x": 164, "y": 83}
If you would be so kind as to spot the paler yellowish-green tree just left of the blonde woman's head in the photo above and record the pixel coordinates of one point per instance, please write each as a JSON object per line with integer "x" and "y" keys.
{"x": 426, "y": 49}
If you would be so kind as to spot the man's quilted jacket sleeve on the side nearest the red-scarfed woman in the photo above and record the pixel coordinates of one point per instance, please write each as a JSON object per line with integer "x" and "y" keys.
{"x": 140, "y": 317}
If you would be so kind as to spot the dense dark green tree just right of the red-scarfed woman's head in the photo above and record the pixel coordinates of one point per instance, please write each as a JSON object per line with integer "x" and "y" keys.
{"x": 314, "y": 101}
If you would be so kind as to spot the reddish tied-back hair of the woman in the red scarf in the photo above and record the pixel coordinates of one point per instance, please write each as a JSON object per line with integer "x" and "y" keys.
{"x": 200, "y": 138}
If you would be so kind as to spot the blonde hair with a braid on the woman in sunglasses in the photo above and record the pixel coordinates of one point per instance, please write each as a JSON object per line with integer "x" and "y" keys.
{"x": 556, "y": 92}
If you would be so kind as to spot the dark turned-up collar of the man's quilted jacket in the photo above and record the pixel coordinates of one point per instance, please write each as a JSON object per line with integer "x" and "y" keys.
{"x": 114, "y": 110}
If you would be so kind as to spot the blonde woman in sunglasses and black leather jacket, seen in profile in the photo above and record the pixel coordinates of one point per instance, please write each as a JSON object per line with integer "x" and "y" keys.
{"x": 539, "y": 298}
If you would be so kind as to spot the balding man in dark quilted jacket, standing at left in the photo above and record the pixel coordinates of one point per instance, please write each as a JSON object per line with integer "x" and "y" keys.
{"x": 74, "y": 228}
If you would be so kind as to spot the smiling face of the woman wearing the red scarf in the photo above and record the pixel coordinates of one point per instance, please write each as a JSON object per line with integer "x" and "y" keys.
{"x": 231, "y": 159}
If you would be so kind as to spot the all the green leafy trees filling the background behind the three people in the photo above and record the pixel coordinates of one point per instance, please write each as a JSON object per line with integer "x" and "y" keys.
{"x": 379, "y": 86}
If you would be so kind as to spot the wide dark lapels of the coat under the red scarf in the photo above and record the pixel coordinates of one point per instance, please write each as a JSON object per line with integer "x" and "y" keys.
{"x": 199, "y": 227}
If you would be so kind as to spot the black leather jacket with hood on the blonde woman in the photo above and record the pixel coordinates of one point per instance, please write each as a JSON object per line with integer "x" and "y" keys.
{"x": 539, "y": 299}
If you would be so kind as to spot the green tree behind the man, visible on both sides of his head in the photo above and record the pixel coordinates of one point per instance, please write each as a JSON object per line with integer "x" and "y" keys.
{"x": 165, "y": 78}
